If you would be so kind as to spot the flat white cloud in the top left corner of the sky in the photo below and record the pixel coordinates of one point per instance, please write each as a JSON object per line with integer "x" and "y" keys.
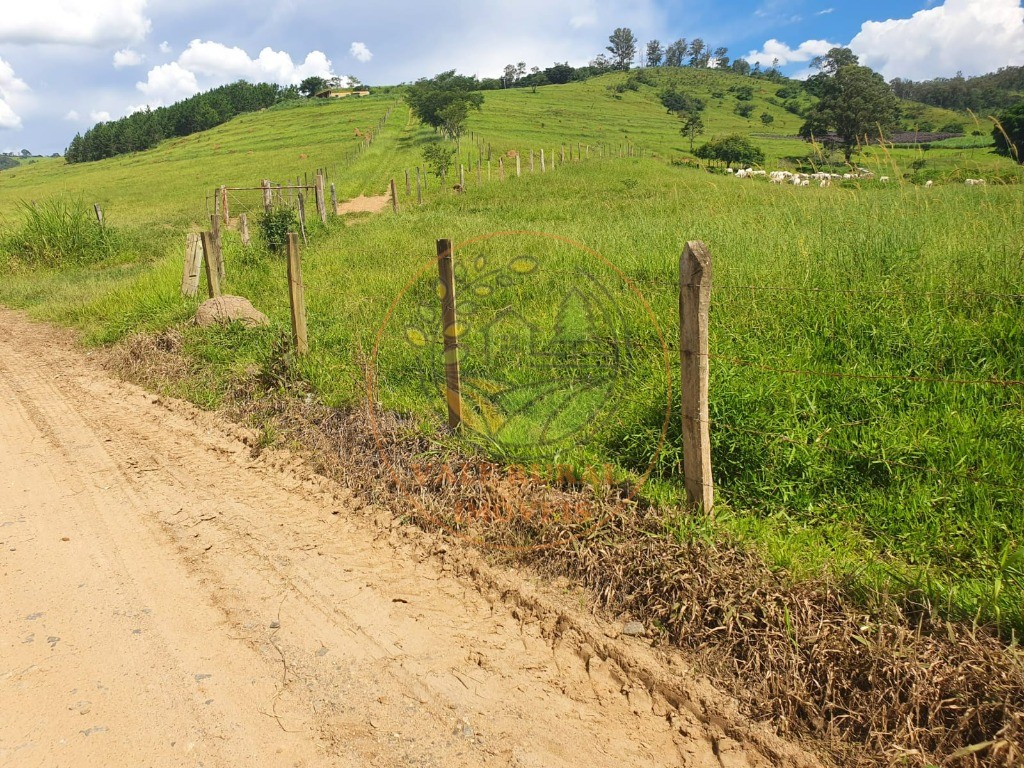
{"x": 98, "y": 23}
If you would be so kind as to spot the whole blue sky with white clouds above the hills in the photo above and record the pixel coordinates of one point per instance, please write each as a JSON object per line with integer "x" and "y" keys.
{"x": 66, "y": 65}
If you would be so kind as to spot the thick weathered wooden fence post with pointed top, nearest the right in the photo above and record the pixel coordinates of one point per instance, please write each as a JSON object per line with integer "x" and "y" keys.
{"x": 695, "y": 303}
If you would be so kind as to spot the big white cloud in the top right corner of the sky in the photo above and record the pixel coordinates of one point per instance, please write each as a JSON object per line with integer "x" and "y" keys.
{"x": 973, "y": 36}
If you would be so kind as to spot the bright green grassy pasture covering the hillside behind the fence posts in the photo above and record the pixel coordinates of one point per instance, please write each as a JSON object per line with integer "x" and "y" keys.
{"x": 892, "y": 484}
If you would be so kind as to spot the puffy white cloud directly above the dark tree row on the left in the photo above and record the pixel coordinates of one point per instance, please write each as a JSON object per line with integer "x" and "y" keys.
{"x": 206, "y": 65}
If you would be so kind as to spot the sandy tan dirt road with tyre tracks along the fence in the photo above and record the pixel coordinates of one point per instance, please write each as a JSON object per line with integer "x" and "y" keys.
{"x": 169, "y": 600}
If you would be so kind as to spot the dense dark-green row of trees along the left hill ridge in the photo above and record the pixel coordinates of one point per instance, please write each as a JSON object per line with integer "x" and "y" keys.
{"x": 144, "y": 131}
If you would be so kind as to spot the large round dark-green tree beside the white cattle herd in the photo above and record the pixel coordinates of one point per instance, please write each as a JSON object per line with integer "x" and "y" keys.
{"x": 855, "y": 102}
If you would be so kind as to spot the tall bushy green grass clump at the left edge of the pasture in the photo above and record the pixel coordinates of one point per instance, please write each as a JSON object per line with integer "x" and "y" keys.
{"x": 60, "y": 232}
